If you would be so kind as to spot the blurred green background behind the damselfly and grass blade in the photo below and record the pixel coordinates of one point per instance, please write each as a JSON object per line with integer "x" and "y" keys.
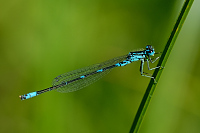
{"x": 40, "y": 40}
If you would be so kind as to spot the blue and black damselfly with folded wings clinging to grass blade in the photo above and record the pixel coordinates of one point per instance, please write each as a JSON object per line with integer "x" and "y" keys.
{"x": 83, "y": 77}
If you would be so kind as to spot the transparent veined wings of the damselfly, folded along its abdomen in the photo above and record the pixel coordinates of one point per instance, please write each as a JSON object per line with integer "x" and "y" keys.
{"x": 81, "y": 83}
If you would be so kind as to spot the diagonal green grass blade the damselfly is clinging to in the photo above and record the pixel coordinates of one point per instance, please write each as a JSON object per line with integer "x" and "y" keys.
{"x": 168, "y": 47}
